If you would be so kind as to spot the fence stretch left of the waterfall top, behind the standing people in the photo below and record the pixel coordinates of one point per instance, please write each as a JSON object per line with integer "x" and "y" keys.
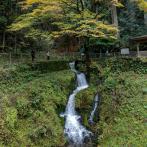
{"x": 11, "y": 58}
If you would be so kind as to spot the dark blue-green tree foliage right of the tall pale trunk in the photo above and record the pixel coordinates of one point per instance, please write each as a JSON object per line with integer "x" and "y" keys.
{"x": 131, "y": 21}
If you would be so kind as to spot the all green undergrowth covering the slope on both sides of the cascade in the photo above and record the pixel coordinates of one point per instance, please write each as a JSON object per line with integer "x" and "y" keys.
{"x": 31, "y": 100}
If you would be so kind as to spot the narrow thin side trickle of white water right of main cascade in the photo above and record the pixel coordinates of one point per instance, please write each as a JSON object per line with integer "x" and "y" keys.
{"x": 96, "y": 101}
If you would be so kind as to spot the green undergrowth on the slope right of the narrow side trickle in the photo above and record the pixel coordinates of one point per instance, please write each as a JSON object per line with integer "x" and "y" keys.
{"x": 123, "y": 116}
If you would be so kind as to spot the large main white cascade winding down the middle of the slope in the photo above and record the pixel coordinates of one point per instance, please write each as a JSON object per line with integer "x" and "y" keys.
{"x": 75, "y": 132}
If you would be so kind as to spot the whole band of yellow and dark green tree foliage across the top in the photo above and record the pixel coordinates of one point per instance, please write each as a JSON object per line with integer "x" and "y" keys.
{"x": 47, "y": 24}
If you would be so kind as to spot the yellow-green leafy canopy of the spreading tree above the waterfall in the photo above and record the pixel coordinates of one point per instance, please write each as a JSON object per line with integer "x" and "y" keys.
{"x": 62, "y": 18}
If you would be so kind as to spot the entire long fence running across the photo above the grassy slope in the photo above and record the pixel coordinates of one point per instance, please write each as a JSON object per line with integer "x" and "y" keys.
{"x": 11, "y": 58}
